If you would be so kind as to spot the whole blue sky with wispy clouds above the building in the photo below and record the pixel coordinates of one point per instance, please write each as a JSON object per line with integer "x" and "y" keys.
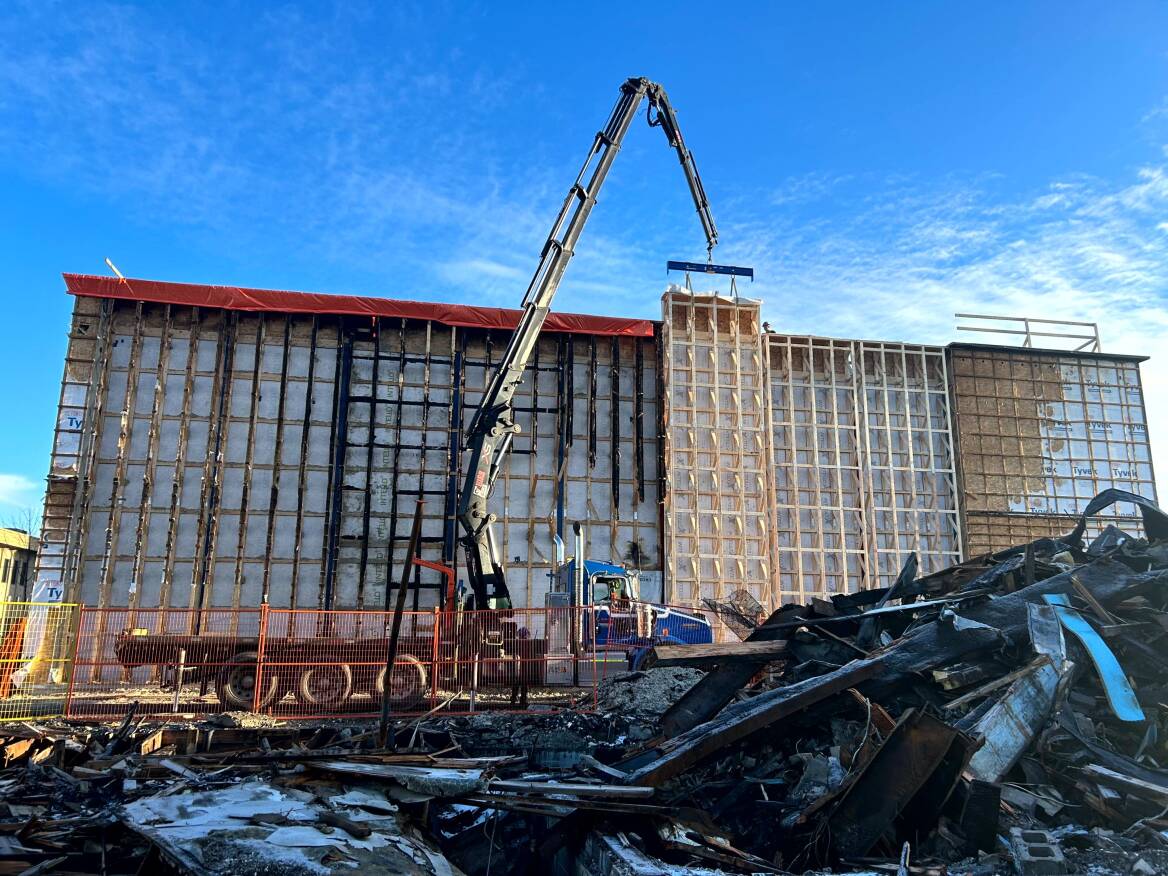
{"x": 881, "y": 165}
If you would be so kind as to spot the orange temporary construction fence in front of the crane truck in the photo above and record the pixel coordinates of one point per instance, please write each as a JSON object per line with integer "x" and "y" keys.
{"x": 311, "y": 664}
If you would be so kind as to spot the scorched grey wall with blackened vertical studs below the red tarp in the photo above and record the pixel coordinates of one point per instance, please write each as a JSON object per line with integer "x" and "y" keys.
{"x": 233, "y": 458}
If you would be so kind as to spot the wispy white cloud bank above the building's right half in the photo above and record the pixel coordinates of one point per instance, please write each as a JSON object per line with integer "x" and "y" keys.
{"x": 912, "y": 254}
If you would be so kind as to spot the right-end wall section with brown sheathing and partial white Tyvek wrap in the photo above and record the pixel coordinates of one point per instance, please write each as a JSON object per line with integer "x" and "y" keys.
{"x": 1040, "y": 434}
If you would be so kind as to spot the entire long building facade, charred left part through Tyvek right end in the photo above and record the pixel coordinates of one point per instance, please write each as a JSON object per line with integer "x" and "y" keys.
{"x": 231, "y": 448}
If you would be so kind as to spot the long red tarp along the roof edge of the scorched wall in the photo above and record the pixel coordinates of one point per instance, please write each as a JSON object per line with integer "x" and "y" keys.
{"x": 268, "y": 301}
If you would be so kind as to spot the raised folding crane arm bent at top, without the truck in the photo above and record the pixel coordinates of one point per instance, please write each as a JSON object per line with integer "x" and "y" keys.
{"x": 491, "y": 433}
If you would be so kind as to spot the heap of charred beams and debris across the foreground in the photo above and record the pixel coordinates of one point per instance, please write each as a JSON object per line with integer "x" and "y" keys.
{"x": 1005, "y": 715}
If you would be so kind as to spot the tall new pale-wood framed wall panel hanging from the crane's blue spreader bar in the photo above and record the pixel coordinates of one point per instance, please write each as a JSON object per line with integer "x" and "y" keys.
{"x": 718, "y": 450}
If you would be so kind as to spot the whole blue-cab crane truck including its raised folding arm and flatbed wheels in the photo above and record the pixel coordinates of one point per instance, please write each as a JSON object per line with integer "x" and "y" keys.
{"x": 618, "y": 620}
